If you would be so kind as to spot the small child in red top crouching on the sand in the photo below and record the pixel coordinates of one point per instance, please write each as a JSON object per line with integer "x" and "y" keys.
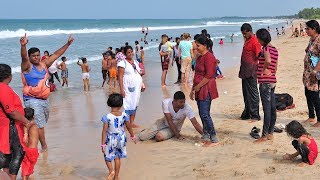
{"x": 304, "y": 143}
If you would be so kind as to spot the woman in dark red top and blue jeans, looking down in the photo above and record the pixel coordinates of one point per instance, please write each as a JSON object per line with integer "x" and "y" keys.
{"x": 204, "y": 87}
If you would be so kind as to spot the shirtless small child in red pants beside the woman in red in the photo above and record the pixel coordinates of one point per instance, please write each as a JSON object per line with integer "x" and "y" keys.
{"x": 31, "y": 138}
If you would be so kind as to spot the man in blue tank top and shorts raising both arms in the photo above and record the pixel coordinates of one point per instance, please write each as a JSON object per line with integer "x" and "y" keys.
{"x": 35, "y": 86}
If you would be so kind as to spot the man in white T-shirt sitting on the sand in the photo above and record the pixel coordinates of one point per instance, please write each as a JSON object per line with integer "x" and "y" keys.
{"x": 175, "y": 112}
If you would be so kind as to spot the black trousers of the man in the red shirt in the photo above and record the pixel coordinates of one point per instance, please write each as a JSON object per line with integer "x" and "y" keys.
{"x": 251, "y": 99}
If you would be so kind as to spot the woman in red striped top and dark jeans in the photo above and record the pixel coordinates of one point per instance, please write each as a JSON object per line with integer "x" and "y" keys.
{"x": 266, "y": 75}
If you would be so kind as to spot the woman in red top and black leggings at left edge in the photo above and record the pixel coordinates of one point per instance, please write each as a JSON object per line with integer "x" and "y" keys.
{"x": 12, "y": 121}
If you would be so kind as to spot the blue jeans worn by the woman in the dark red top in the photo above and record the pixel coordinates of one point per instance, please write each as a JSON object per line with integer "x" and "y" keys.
{"x": 207, "y": 123}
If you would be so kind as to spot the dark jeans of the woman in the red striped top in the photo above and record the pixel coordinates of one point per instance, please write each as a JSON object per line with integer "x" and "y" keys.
{"x": 269, "y": 108}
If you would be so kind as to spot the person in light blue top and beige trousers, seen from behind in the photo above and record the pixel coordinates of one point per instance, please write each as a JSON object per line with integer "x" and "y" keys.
{"x": 186, "y": 54}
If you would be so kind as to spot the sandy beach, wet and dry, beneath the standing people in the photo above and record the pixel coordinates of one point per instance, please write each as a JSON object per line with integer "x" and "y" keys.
{"x": 74, "y": 132}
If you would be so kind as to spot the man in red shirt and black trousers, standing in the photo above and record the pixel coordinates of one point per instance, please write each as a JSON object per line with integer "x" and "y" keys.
{"x": 248, "y": 68}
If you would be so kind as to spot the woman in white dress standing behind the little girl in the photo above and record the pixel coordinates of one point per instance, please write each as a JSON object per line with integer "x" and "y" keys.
{"x": 130, "y": 83}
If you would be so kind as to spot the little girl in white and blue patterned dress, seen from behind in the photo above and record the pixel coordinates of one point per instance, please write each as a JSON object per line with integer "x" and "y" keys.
{"x": 113, "y": 135}
